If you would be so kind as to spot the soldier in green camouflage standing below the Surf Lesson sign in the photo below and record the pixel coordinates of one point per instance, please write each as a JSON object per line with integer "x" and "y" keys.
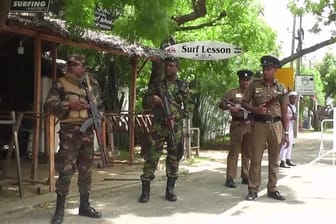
{"x": 177, "y": 95}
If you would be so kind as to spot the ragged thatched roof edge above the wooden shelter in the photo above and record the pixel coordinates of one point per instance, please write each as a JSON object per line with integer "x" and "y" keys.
{"x": 101, "y": 40}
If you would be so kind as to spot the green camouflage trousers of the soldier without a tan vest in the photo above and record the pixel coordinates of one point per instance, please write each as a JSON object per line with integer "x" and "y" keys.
{"x": 153, "y": 151}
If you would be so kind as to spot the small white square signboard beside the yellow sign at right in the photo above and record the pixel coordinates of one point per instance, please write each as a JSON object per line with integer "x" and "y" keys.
{"x": 304, "y": 85}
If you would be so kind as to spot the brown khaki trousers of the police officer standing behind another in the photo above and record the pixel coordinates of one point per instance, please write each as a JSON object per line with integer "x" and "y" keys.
{"x": 240, "y": 142}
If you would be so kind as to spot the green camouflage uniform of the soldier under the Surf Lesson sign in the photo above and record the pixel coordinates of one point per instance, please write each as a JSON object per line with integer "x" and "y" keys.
{"x": 180, "y": 105}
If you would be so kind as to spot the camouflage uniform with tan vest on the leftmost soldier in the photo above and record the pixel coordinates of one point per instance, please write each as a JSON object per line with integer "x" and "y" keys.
{"x": 76, "y": 149}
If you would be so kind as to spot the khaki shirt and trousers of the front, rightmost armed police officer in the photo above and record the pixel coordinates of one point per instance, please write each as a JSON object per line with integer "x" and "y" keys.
{"x": 266, "y": 129}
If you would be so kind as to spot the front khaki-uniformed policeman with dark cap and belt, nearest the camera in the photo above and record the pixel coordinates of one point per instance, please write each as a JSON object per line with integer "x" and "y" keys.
{"x": 269, "y": 104}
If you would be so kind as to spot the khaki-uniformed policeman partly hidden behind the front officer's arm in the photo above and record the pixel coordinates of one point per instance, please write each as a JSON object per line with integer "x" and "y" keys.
{"x": 240, "y": 130}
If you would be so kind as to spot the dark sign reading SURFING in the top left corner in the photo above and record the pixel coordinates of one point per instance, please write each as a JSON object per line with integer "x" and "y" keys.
{"x": 29, "y": 6}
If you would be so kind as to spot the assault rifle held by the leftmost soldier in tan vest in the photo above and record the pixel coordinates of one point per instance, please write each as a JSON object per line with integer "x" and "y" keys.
{"x": 95, "y": 120}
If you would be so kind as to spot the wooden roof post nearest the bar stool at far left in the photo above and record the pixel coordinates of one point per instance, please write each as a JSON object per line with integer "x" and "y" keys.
{"x": 37, "y": 106}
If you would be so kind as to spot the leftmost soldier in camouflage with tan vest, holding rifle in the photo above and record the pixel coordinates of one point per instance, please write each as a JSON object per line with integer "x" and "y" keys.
{"x": 68, "y": 102}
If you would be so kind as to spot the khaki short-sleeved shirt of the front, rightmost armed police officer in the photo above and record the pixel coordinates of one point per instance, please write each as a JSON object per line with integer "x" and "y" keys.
{"x": 259, "y": 93}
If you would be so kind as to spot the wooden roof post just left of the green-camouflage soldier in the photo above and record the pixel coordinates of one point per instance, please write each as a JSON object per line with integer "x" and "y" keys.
{"x": 131, "y": 108}
